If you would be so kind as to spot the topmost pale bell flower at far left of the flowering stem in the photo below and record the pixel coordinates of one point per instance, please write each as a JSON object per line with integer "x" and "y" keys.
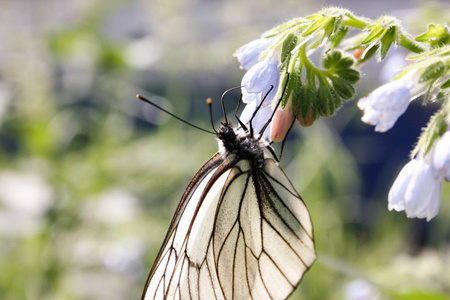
{"x": 248, "y": 55}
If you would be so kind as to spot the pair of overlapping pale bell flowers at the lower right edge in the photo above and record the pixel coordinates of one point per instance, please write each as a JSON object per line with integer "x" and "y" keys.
{"x": 417, "y": 189}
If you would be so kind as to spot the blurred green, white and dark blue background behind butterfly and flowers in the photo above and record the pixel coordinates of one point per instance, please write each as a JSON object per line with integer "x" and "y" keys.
{"x": 90, "y": 177}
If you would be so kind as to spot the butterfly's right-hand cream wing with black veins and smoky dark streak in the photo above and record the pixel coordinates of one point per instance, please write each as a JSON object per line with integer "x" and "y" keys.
{"x": 263, "y": 240}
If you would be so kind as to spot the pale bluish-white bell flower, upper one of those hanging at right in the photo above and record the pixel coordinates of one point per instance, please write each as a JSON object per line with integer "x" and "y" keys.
{"x": 388, "y": 102}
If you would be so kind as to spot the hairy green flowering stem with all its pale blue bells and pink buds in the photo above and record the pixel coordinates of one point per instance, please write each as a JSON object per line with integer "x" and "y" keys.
{"x": 279, "y": 70}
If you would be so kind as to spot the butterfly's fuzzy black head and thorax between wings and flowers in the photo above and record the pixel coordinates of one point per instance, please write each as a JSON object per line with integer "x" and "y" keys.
{"x": 242, "y": 144}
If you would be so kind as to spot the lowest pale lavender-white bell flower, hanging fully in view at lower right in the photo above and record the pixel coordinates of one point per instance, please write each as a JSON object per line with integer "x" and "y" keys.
{"x": 417, "y": 190}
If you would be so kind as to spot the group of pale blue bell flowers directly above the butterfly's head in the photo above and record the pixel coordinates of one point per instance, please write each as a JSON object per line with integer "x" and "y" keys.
{"x": 262, "y": 76}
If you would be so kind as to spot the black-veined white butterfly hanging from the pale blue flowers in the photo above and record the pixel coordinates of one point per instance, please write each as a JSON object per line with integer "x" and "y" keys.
{"x": 240, "y": 231}
